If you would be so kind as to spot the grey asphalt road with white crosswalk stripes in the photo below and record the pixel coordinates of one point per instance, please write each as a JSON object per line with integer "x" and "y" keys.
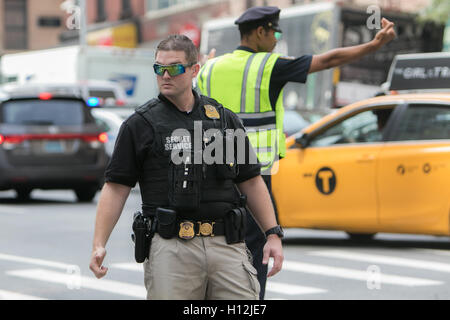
{"x": 45, "y": 247}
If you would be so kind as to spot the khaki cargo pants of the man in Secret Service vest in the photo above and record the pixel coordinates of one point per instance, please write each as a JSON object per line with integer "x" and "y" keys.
{"x": 202, "y": 268}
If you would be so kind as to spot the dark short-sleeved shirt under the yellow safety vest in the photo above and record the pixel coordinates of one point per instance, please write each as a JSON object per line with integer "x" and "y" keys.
{"x": 286, "y": 69}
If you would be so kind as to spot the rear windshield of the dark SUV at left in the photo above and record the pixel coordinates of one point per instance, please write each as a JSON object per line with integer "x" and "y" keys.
{"x": 43, "y": 112}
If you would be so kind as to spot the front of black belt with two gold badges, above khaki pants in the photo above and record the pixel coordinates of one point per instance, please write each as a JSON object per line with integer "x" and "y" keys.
{"x": 188, "y": 229}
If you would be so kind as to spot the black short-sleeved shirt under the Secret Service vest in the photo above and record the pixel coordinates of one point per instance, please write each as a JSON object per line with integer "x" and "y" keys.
{"x": 136, "y": 137}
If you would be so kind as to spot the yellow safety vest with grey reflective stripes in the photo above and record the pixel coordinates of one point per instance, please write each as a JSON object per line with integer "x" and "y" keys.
{"x": 240, "y": 82}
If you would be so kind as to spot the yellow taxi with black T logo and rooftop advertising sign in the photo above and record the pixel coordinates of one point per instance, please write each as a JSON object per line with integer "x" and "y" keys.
{"x": 378, "y": 165}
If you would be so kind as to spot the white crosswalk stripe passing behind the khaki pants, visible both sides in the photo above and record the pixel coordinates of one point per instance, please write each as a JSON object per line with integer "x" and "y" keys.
{"x": 276, "y": 287}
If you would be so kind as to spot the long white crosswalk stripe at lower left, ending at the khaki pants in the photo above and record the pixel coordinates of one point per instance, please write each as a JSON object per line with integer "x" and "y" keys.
{"x": 81, "y": 282}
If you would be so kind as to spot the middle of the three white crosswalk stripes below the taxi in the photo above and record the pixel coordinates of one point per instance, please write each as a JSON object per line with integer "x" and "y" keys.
{"x": 355, "y": 274}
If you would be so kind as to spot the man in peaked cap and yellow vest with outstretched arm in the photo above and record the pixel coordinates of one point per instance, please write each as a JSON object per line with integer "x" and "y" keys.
{"x": 250, "y": 82}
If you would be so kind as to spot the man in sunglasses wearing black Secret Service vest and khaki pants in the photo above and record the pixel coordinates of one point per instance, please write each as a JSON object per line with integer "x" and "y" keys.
{"x": 190, "y": 255}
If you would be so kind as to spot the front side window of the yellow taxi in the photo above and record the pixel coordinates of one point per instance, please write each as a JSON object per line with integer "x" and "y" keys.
{"x": 363, "y": 127}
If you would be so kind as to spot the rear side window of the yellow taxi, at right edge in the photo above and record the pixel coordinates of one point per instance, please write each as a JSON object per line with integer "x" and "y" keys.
{"x": 424, "y": 122}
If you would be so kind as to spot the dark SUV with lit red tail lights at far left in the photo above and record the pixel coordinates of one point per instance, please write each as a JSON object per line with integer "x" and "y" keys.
{"x": 50, "y": 141}
